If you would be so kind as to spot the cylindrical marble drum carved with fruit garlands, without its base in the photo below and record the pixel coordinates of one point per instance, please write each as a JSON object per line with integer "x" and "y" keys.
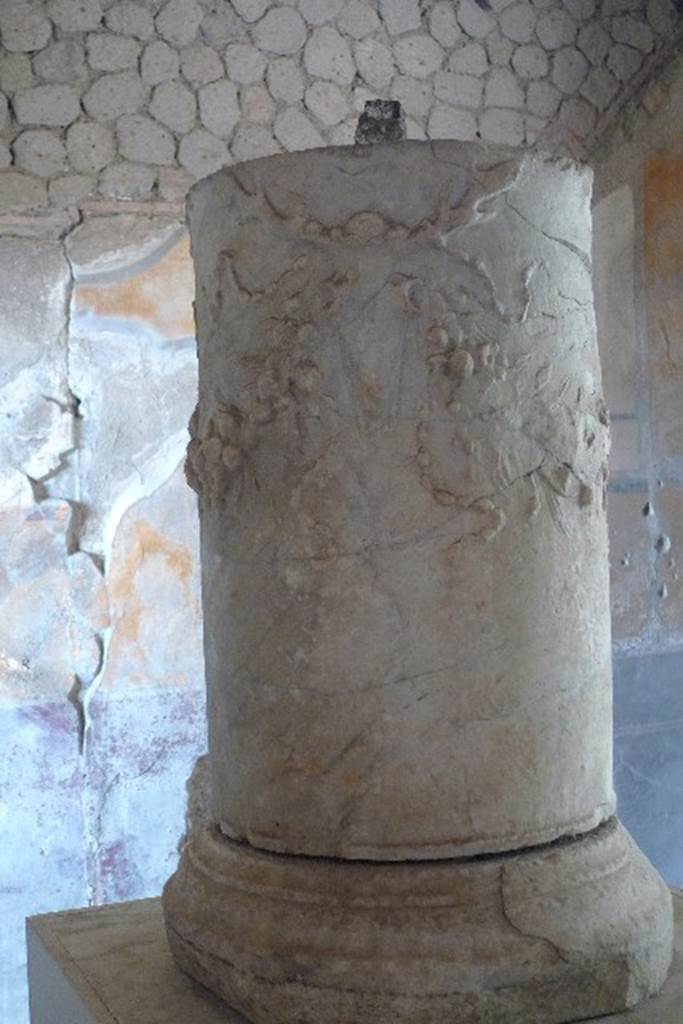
{"x": 401, "y": 453}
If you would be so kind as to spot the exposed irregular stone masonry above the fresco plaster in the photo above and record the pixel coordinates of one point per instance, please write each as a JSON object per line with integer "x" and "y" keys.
{"x": 138, "y": 100}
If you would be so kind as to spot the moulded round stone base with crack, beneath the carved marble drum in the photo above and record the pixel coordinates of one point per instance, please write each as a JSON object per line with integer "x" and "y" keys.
{"x": 567, "y": 932}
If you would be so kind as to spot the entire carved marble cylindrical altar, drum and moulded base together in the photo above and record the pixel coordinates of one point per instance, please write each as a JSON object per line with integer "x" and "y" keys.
{"x": 400, "y": 450}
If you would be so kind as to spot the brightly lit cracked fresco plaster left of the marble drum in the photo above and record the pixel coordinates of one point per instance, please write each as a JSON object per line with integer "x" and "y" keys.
{"x": 102, "y": 703}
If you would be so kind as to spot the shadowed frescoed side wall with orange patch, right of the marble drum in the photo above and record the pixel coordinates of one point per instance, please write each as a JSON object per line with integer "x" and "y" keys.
{"x": 639, "y": 290}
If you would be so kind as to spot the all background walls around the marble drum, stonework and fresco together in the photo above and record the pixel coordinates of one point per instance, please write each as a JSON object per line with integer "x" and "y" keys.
{"x": 108, "y": 112}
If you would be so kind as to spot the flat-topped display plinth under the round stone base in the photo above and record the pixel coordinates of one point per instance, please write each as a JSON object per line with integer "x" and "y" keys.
{"x": 112, "y": 965}
